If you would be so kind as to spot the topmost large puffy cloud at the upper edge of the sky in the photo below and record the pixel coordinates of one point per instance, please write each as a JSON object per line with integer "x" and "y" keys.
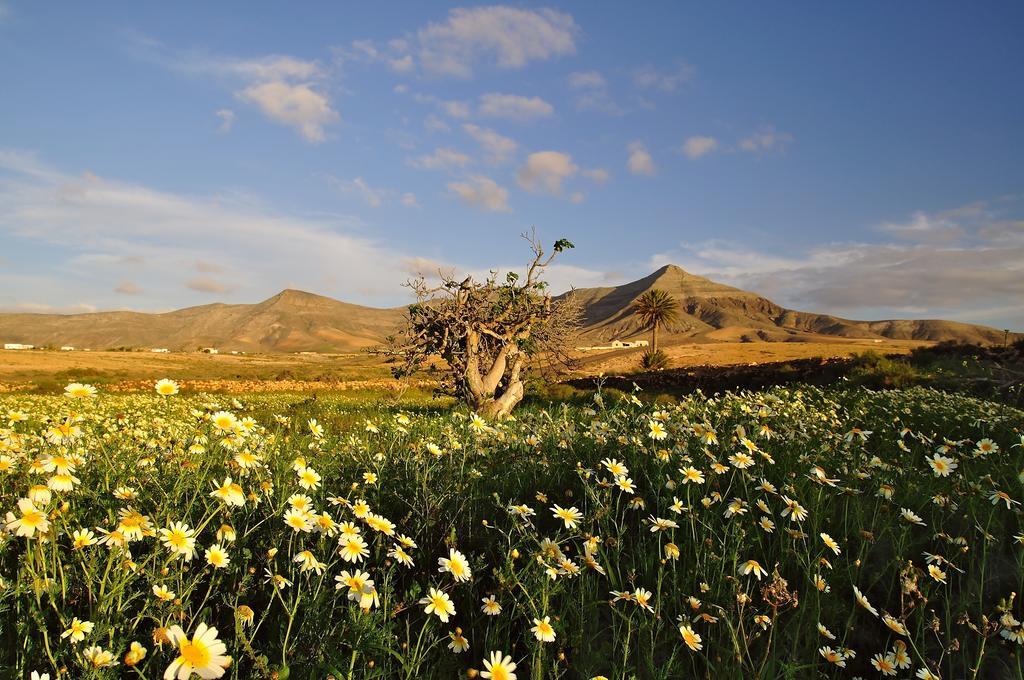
{"x": 509, "y": 37}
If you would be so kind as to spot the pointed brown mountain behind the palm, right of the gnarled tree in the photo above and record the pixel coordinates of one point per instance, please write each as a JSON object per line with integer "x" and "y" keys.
{"x": 709, "y": 311}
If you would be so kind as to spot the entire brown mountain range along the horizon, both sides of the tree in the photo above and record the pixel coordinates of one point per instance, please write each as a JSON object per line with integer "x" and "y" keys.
{"x": 294, "y": 321}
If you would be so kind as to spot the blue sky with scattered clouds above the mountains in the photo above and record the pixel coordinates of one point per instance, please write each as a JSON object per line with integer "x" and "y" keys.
{"x": 856, "y": 159}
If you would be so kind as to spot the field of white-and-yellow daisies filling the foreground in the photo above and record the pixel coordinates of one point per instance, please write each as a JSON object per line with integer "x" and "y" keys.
{"x": 796, "y": 533}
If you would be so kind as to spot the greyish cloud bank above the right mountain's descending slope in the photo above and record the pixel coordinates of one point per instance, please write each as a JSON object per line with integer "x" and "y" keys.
{"x": 972, "y": 273}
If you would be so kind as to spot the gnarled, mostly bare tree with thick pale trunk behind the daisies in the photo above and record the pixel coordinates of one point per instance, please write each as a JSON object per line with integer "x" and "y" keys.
{"x": 490, "y": 332}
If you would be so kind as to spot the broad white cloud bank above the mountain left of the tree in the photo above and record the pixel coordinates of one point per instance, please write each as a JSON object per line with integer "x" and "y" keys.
{"x": 260, "y": 250}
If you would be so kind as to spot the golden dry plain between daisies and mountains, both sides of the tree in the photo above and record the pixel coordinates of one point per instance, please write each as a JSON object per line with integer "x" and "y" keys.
{"x": 53, "y": 370}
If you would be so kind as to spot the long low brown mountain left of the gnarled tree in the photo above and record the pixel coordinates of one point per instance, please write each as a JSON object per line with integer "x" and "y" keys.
{"x": 291, "y": 321}
